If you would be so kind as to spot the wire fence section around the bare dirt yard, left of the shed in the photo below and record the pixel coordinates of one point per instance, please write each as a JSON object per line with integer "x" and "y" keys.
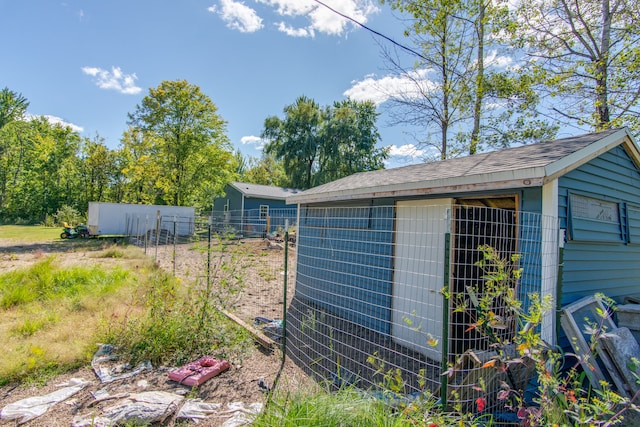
{"x": 242, "y": 262}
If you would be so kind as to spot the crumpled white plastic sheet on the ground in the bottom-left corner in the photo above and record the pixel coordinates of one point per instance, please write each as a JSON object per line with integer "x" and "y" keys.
{"x": 32, "y": 407}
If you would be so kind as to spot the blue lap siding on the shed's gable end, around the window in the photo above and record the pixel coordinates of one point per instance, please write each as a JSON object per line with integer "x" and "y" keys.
{"x": 599, "y": 257}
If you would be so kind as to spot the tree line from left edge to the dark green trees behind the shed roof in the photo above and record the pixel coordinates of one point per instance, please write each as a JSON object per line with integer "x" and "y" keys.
{"x": 175, "y": 151}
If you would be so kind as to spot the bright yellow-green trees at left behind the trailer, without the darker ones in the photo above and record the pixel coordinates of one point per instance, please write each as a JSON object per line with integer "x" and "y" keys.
{"x": 177, "y": 153}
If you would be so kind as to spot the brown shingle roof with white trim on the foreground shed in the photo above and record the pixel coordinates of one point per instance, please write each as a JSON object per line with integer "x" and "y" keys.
{"x": 527, "y": 165}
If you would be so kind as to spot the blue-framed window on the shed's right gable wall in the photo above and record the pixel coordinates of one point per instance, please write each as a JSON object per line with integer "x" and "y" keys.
{"x": 595, "y": 220}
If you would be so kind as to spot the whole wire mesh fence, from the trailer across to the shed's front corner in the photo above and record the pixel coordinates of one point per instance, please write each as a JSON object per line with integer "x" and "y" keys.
{"x": 380, "y": 297}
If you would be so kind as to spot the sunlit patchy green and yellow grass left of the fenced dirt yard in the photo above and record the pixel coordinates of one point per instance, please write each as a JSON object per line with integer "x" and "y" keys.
{"x": 54, "y": 313}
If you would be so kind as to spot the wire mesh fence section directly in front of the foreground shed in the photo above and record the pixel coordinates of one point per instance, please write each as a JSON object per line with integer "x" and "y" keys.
{"x": 392, "y": 297}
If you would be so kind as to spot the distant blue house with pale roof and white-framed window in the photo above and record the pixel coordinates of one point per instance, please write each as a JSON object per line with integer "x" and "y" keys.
{"x": 253, "y": 208}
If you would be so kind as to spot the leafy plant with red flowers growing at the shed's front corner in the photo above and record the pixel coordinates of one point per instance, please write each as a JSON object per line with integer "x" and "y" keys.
{"x": 561, "y": 396}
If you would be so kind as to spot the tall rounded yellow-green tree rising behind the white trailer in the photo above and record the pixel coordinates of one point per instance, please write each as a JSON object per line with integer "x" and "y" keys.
{"x": 190, "y": 144}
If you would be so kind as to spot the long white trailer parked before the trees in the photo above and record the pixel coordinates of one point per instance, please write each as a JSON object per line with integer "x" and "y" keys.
{"x": 123, "y": 219}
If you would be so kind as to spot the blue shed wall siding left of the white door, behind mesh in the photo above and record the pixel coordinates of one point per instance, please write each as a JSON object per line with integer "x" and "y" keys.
{"x": 345, "y": 263}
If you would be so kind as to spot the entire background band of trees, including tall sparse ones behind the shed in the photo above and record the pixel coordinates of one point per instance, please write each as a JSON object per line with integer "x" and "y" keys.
{"x": 483, "y": 74}
